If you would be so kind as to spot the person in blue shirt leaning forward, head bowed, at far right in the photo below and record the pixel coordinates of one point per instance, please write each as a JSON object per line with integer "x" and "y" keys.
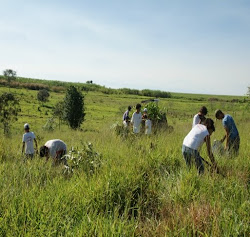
{"x": 232, "y": 136}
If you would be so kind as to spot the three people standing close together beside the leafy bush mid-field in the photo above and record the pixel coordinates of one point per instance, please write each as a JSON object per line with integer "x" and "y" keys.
{"x": 137, "y": 120}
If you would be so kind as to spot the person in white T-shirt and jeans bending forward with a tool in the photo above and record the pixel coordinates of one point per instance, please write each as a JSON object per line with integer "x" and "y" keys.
{"x": 193, "y": 141}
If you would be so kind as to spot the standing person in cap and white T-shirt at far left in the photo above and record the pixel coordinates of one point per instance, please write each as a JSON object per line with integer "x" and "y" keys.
{"x": 28, "y": 144}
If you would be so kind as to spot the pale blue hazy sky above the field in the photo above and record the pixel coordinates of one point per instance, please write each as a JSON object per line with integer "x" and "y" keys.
{"x": 192, "y": 46}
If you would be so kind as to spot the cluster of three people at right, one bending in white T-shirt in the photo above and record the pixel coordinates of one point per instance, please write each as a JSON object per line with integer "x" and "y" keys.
{"x": 201, "y": 131}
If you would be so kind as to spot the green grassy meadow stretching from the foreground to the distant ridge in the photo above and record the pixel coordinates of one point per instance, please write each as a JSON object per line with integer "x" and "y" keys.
{"x": 142, "y": 187}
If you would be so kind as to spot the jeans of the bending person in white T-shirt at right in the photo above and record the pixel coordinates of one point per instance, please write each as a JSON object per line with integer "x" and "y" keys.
{"x": 193, "y": 156}
